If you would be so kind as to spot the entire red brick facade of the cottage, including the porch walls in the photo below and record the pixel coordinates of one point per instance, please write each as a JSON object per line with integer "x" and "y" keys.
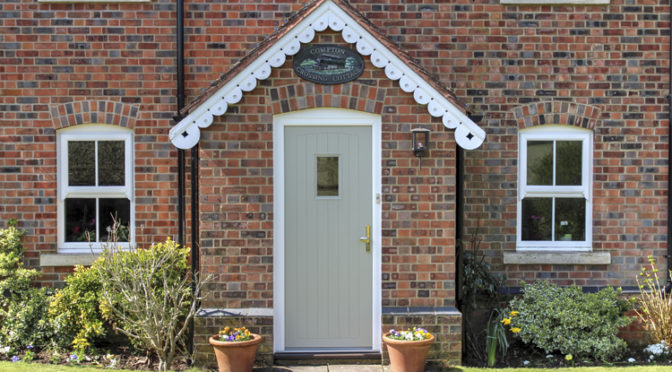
{"x": 598, "y": 67}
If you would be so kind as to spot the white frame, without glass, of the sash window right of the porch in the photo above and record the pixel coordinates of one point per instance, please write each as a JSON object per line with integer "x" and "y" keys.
{"x": 585, "y": 190}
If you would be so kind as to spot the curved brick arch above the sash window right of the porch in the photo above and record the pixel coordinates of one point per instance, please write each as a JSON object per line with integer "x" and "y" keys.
{"x": 557, "y": 112}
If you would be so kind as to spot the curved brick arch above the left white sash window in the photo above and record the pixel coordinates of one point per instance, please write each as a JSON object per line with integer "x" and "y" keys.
{"x": 94, "y": 111}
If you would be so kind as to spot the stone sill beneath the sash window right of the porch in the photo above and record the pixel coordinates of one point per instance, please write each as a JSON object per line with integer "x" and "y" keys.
{"x": 557, "y": 258}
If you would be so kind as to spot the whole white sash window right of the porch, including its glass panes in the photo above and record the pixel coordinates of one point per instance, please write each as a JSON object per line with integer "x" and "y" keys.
{"x": 555, "y": 189}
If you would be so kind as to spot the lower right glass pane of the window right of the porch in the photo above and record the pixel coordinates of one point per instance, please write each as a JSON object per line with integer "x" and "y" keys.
{"x": 570, "y": 219}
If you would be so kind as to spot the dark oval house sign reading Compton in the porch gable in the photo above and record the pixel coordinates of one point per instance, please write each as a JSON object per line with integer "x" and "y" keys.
{"x": 328, "y": 64}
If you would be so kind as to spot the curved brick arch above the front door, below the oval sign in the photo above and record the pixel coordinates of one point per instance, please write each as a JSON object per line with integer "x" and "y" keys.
{"x": 306, "y": 96}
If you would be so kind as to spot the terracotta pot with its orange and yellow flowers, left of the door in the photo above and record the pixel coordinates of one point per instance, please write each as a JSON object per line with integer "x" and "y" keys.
{"x": 235, "y": 349}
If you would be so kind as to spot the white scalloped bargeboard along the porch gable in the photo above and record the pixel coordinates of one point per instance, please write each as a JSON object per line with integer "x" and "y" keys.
{"x": 468, "y": 135}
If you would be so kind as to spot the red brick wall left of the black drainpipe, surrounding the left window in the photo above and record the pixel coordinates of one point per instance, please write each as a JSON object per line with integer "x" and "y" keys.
{"x": 68, "y": 64}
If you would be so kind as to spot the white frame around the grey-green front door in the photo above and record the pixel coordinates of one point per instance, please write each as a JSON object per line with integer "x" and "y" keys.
{"x": 323, "y": 117}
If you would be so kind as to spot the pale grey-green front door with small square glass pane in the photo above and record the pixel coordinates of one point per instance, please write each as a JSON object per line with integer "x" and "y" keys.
{"x": 328, "y": 205}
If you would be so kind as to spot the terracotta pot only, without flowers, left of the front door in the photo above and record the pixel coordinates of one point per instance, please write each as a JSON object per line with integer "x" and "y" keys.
{"x": 235, "y": 356}
